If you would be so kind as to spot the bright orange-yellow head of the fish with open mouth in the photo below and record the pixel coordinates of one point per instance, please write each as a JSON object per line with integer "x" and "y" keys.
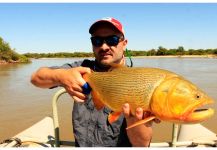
{"x": 180, "y": 101}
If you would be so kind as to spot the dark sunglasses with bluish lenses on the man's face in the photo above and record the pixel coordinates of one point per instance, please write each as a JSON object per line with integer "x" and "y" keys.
{"x": 112, "y": 40}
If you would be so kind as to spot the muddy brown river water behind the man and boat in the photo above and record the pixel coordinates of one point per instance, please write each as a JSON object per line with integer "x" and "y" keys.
{"x": 22, "y": 104}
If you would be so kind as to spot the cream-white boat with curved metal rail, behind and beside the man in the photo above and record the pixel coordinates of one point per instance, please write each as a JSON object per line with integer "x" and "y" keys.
{"x": 45, "y": 133}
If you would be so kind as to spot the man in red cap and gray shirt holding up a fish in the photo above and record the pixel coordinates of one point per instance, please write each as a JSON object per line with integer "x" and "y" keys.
{"x": 90, "y": 126}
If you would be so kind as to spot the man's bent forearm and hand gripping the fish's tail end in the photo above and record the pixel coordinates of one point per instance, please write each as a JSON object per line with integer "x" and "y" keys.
{"x": 70, "y": 79}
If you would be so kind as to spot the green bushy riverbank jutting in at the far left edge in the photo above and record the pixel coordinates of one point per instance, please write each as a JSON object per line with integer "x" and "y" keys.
{"x": 7, "y": 55}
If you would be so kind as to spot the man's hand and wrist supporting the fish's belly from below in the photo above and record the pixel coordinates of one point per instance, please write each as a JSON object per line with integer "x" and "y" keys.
{"x": 140, "y": 135}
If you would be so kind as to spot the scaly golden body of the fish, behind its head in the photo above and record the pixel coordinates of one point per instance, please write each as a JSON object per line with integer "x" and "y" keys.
{"x": 123, "y": 85}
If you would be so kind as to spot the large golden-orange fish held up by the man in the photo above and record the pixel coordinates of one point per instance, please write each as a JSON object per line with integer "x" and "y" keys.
{"x": 165, "y": 94}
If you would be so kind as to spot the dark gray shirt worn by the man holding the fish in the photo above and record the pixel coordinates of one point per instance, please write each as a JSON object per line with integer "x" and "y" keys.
{"x": 91, "y": 127}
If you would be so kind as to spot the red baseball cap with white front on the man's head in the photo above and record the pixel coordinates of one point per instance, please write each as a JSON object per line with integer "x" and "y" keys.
{"x": 110, "y": 20}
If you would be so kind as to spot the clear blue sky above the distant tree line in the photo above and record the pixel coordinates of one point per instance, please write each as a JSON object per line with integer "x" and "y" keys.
{"x": 63, "y": 27}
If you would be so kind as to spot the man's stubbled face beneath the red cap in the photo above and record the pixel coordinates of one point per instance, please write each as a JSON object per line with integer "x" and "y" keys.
{"x": 107, "y": 55}
